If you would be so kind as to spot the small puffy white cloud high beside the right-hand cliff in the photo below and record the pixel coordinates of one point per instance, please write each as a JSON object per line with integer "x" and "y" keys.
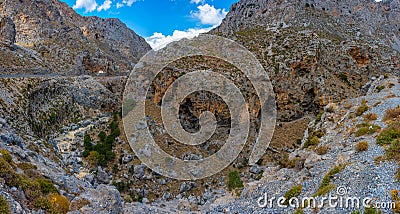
{"x": 208, "y": 15}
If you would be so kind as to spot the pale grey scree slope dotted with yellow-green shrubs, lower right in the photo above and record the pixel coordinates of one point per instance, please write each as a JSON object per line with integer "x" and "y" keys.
{"x": 353, "y": 145}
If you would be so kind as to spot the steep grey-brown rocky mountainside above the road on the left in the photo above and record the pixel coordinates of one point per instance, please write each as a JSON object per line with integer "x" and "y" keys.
{"x": 50, "y": 37}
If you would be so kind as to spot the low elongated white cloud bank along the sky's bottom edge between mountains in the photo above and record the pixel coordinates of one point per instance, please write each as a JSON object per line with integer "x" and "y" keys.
{"x": 159, "y": 40}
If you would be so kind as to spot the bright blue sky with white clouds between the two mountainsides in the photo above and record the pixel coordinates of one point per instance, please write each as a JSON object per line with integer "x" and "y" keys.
{"x": 159, "y": 21}
